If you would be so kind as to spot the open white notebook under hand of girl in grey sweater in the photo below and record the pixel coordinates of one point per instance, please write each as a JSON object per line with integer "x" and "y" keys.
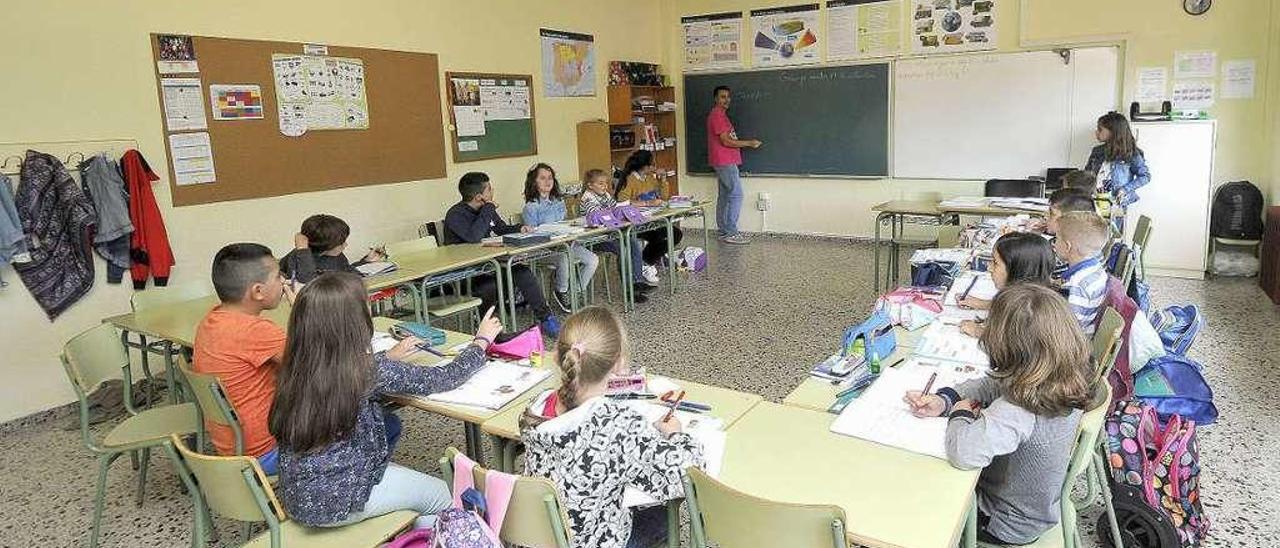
{"x": 880, "y": 414}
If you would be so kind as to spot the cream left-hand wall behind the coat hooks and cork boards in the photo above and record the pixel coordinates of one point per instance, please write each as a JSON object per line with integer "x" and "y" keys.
{"x": 83, "y": 71}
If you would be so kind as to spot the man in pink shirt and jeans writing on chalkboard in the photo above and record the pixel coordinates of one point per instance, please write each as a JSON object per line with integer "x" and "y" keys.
{"x": 725, "y": 157}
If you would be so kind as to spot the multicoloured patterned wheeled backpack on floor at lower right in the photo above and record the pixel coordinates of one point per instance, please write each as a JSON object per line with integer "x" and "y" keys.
{"x": 1163, "y": 464}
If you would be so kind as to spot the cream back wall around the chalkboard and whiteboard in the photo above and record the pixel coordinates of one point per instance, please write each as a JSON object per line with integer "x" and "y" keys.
{"x": 1153, "y": 29}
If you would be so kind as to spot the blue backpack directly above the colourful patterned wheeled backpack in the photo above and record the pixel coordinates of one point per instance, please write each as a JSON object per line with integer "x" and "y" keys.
{"x": 1174, "y": 386}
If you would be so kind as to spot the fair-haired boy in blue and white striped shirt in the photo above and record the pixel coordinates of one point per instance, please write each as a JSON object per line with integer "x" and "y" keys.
{"x": 1080, "y": 241}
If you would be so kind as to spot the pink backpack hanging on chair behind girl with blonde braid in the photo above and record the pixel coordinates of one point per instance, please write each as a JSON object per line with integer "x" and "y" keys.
{"x": 476, "y": 519}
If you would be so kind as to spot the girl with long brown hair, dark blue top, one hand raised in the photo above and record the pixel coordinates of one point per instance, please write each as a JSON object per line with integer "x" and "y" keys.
{"x": 336, "y": 439}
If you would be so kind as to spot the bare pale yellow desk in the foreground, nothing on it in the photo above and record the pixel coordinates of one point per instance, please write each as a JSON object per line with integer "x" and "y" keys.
{"x": 892, "y": 497}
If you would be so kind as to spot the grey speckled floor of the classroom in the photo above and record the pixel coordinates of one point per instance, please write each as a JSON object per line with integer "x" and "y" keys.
{"x": 756, "y": 322}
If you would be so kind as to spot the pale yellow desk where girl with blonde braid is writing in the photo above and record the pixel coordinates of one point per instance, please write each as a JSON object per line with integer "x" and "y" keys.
{"x": 728, "y": 405}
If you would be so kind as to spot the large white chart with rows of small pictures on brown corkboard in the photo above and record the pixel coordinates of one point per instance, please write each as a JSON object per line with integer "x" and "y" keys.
{"x": 318, "y": 93}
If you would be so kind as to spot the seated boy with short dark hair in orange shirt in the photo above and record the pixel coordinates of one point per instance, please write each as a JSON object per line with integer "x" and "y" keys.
{"x": 243, "y": 349}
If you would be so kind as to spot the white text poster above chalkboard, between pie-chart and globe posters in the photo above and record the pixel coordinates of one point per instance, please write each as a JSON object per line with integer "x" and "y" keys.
{"x": 863, "y": 29}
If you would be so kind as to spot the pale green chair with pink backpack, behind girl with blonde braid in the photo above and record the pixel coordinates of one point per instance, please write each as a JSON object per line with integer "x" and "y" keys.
{"x": 536, "y": 517}
